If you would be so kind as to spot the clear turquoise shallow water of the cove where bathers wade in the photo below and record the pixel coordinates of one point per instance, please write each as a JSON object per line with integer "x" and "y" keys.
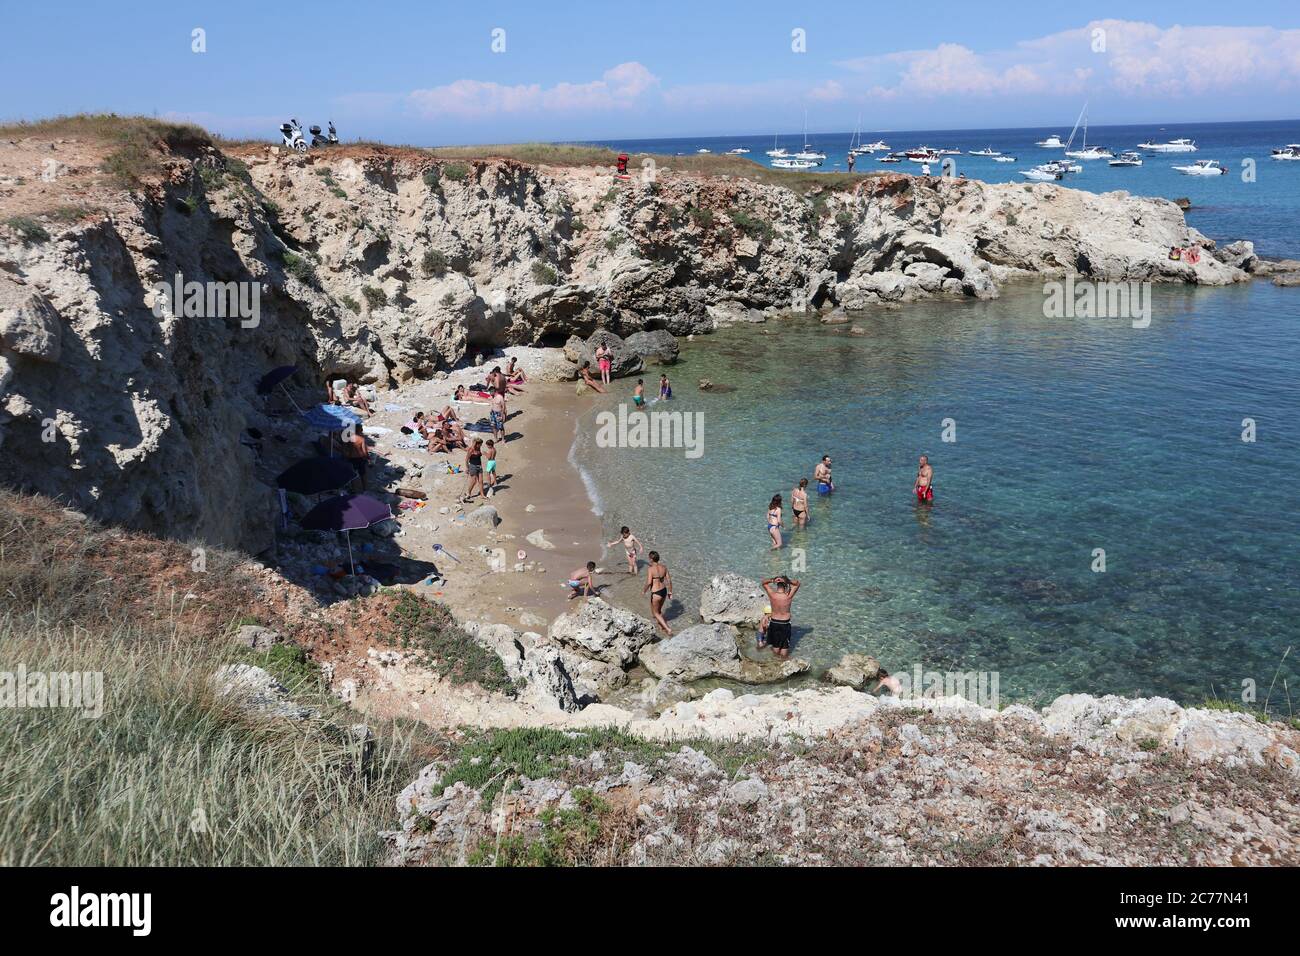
{"x": 1072, "y": 435}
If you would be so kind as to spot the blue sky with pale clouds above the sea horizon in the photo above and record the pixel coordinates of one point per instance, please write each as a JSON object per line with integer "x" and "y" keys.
{"x": 427, "y": 73}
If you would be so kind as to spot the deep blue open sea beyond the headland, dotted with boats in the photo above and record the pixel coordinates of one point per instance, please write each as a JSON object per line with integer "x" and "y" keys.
{"x": 1224, "y": 207}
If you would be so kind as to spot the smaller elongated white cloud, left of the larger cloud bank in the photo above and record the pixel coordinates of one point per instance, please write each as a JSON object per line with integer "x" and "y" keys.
{"x": 619, "y": 88}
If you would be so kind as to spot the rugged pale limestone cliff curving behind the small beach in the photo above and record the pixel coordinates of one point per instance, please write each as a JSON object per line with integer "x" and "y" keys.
{"x": 385, "y": 265}
